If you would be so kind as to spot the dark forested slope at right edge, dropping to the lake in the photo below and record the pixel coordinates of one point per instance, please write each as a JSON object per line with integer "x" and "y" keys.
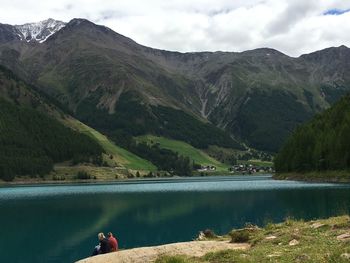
{"x": 322, "y": 144}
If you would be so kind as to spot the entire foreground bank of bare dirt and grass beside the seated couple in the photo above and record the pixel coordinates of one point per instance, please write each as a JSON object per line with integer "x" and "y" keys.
{"x": 320, "y": 240}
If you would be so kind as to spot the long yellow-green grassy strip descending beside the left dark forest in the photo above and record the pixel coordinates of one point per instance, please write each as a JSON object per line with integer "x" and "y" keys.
{"x": 121, "y": 156}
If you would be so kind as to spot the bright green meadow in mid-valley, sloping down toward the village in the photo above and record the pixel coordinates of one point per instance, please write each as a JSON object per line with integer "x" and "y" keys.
{"x": 184, "y": 149}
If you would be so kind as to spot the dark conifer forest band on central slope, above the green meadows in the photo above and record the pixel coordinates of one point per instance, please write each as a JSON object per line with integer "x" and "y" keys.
{"x": 134, "y": 118}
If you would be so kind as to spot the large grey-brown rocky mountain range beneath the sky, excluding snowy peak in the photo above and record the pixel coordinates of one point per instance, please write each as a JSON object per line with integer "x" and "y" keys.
{"x": 258, "y": 96}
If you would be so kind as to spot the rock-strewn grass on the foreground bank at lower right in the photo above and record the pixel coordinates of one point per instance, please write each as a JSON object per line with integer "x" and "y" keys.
{"x": 316, "y": 242}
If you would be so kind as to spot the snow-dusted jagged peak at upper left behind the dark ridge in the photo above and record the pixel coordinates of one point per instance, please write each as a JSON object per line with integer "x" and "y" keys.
{"x": 39, "y": 32}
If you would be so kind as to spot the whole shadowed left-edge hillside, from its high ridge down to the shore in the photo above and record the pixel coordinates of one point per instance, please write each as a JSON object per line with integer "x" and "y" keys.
{"x": 31, "y": 137}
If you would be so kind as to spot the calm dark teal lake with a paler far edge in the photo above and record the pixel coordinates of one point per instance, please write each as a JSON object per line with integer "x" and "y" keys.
{"x": 59, "y": 223}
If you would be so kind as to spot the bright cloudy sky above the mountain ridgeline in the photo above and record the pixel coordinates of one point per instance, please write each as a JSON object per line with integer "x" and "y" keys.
{"x": 292, "y": 26}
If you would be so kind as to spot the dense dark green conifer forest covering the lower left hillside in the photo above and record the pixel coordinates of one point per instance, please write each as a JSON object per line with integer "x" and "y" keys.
{"x": 31, "y": 142}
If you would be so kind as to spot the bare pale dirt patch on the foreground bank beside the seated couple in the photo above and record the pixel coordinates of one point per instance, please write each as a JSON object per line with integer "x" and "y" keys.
{"x": 150, "y": 254}
